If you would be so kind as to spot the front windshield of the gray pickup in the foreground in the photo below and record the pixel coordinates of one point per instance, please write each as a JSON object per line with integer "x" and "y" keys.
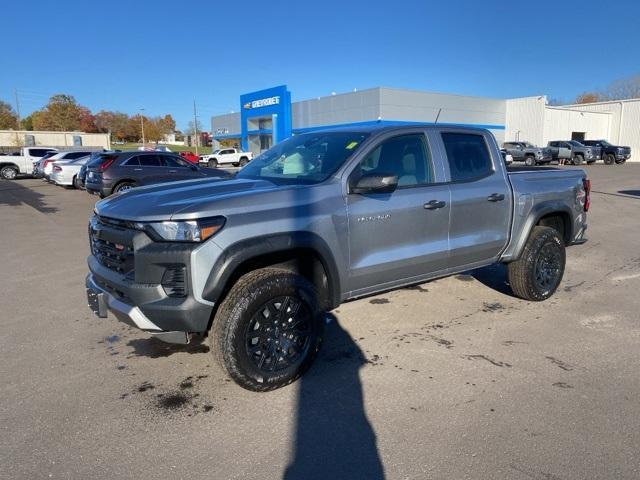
{"x": 304, "y": 159}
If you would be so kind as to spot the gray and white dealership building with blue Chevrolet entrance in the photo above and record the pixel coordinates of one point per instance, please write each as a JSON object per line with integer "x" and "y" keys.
{"x": 269, "y": 116}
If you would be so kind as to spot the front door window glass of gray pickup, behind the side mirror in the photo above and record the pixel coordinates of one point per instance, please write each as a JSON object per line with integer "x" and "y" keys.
{"x": 405, "y": 156}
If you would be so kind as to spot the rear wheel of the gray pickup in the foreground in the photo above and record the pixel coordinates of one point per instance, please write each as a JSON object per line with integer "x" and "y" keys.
{"x": 523, "y": 273}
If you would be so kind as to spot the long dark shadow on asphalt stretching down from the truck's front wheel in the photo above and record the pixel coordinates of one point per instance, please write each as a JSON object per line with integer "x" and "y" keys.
{"x": 333, "y": 436}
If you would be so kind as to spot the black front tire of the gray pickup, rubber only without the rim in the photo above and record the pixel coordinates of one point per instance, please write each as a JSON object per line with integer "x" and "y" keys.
{"x": 234, "y": 316}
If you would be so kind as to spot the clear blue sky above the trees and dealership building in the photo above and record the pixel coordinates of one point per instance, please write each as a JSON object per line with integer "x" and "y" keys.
{"x": 127, "y": 55}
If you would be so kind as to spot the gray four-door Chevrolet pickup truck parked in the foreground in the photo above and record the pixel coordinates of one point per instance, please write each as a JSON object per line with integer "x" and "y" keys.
{"x": 317, "y": 220}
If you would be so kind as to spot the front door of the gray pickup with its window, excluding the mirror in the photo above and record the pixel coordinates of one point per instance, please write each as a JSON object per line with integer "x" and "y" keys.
{"x": 403, "y": 235}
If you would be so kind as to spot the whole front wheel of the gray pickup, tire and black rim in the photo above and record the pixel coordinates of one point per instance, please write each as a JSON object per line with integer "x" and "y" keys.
{"x": 268, "y": 329}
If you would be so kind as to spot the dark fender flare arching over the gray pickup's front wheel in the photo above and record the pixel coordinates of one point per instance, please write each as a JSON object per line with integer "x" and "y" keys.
{"x": 238, "y": 253}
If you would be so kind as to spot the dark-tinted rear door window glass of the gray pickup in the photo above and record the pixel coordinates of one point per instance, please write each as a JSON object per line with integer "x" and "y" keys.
{"x": 468, "y": 156}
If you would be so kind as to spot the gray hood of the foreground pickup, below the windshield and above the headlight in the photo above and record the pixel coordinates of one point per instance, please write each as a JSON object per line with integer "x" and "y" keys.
{"x": 162, "y": 201}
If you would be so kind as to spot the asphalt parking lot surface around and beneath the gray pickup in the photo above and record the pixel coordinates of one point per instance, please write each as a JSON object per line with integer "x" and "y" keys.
{"x": 452, "y": 379}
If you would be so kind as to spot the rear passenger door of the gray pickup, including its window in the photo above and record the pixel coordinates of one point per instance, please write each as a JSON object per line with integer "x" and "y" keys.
{"x": 481, "y": 203}
